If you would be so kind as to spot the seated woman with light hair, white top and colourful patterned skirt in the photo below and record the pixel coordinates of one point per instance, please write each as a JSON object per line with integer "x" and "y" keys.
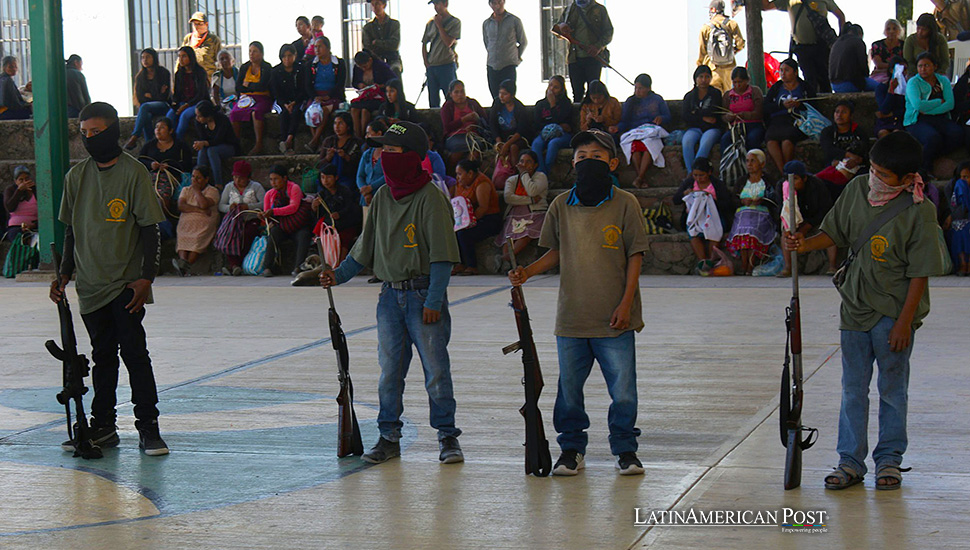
{"x": 754, "y": 227}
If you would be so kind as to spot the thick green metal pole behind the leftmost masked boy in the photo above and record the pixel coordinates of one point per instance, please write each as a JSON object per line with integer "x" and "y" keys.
{"x": 50, "y": 118}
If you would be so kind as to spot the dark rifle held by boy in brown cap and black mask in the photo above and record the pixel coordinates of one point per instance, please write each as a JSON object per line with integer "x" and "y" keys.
{"x": 538, "y": 461}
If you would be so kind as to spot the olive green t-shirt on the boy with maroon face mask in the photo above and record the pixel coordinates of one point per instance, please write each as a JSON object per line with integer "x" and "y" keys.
{"x": 401, "y": 239}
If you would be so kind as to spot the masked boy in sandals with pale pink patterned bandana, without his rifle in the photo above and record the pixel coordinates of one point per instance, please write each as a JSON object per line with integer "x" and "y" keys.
{"x": 896, "y": 244}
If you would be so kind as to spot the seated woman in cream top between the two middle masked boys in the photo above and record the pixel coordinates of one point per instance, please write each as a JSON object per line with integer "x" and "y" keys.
{"x": 525, "y": 195}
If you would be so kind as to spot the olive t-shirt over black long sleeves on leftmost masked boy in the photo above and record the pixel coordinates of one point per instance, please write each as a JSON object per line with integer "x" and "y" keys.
{"x": 106, "y": 210}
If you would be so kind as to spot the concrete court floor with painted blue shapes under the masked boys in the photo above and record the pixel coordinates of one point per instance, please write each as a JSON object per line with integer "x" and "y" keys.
{"x": 247, "y": 381}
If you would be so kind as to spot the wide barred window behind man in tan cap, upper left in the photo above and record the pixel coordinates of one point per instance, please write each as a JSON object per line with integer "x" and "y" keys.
{"x": 161, "y": 24}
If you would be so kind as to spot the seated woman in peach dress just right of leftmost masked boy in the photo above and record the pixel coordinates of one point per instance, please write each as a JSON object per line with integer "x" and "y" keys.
{"x": 199, "y": 221}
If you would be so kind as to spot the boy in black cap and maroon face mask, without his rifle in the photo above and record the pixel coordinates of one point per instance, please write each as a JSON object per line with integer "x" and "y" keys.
{"x": 409, "y": 241}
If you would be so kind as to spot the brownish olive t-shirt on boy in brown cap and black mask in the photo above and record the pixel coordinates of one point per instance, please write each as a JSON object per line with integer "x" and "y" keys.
{"x": 594, "y": 245}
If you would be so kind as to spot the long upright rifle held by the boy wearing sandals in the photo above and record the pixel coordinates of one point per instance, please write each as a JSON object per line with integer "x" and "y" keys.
{"x": 791, "y": 375}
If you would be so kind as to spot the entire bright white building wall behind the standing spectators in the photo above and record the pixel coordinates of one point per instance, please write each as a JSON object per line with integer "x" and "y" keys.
{"x": 652, "y": 36}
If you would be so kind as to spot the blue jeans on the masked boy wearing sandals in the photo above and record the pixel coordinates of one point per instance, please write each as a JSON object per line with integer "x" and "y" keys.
{"x": 859, "y": 350}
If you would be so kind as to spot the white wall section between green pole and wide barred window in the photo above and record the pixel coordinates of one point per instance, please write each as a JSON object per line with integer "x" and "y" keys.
{"x": 97, "y": 30}
